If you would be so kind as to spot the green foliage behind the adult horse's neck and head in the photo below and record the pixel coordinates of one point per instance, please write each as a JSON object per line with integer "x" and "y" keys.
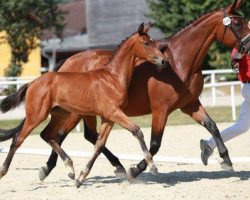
{"x": 169, "y": 15}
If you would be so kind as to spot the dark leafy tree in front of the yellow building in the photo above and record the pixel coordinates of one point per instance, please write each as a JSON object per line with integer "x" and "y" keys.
{"x": 23, "y": 21}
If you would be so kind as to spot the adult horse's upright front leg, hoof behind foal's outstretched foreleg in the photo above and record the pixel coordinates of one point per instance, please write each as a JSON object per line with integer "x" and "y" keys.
{"x": 159, "y": 119}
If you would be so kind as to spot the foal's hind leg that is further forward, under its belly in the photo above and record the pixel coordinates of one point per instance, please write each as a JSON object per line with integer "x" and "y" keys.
{"x": 50, "y": 136}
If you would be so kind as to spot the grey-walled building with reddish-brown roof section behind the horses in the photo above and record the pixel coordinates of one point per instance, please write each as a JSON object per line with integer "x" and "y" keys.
{"x": 101, "y": 24}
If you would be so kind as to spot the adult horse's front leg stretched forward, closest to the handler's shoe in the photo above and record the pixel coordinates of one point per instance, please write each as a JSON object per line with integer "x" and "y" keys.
{"x": 198, "y": 113}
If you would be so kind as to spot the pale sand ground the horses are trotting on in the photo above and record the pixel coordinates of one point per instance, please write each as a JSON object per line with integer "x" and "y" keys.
{"x": 174, "y": 181}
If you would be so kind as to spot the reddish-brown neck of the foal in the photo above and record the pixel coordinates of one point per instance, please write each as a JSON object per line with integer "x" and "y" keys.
{"x": 122, "y": 64}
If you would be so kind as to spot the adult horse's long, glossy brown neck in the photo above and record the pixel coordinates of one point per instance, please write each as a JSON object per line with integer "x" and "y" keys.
{"x": 190, "y": 46}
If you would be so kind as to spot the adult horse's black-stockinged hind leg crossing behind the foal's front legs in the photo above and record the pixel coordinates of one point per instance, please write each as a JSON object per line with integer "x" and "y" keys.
{"x": 91, "y": 134}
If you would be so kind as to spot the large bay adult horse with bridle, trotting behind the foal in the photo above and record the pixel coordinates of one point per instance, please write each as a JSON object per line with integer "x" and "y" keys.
{"x": 160, "y": 94}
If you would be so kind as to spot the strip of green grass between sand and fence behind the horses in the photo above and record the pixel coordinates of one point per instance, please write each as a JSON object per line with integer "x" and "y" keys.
{"x": 218, "y": 114}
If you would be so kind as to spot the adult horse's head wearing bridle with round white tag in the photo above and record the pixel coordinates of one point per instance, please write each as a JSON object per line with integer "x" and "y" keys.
{"x": 233, "y": 30}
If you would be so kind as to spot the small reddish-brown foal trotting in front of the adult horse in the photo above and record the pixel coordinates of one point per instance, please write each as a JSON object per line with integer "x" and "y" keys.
{"x": 101, "y": 92}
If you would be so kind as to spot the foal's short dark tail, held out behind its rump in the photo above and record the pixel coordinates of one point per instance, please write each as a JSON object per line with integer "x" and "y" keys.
{"x": 13, "y": 100}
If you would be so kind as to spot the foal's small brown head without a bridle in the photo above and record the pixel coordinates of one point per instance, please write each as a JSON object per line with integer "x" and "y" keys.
{"x": 145, "y": 48}
